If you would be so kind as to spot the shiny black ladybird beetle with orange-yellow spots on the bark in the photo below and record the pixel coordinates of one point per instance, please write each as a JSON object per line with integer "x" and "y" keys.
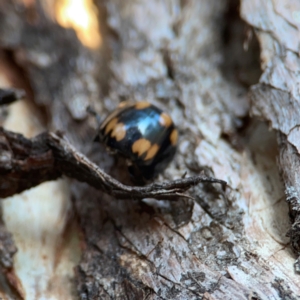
{"x": 143, "y": 134}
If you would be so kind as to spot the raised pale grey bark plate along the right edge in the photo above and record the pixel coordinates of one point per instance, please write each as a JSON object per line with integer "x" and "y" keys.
{"x": 276, "y": 98}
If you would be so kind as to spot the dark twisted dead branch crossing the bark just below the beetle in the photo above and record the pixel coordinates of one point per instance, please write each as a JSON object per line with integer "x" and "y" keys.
{"x": 25, "y": 163}
